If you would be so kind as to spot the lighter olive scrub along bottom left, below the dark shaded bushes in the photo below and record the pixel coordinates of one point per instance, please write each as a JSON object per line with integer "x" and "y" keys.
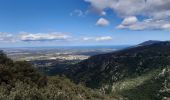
{"x": 57, "y": 88}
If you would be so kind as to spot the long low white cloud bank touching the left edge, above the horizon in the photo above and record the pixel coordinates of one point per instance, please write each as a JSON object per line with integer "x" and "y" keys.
{"x": 24, "y": 36}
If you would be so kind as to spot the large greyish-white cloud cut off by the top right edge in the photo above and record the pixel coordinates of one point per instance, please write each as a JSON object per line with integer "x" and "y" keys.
{"x": 133, "y": 7}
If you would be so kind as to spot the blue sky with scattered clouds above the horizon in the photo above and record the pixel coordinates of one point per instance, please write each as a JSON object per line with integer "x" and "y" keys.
{"x": 33, "y": 23}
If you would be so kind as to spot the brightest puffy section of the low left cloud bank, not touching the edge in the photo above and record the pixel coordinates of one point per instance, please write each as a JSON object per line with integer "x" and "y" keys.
{"x": 43, "y": 36}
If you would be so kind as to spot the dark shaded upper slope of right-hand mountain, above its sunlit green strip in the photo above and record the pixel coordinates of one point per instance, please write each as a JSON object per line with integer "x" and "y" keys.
{"x": 115, "y": 66}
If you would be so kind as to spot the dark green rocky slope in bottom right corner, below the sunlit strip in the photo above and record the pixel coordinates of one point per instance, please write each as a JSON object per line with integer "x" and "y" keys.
{"x": 157, "y": 88}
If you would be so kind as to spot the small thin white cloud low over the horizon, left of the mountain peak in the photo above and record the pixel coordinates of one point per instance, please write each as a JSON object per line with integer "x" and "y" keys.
{"x": 101, "y": 38}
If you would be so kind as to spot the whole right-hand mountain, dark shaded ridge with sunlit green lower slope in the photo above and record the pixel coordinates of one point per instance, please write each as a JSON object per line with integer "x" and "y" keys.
{"x": 138, "y": 73}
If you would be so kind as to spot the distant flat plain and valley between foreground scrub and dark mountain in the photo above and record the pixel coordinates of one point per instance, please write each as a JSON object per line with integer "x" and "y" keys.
{"x": 54, "y": 60}
